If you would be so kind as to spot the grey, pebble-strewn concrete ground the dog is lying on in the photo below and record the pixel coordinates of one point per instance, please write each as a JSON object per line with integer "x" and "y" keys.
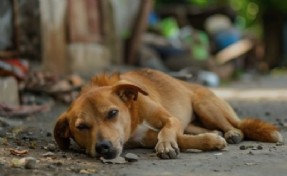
{"x": 261, "y": 97}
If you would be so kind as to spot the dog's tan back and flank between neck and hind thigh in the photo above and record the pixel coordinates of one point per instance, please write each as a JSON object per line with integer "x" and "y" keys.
{"x": 171, "y": 93}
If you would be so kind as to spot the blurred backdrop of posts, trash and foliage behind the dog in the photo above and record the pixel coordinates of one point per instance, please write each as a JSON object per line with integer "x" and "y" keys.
{"x": 51, "y": 46}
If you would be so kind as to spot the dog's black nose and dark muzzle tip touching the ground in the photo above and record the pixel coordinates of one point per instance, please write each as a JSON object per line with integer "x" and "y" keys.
{"x": 105, "y": 149}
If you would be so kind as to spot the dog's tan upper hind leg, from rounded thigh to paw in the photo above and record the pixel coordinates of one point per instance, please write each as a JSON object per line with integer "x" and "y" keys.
{"x": 215, "y": 114}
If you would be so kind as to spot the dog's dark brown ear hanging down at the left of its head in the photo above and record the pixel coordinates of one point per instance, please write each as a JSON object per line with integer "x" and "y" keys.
{"x": 62, "y": 132}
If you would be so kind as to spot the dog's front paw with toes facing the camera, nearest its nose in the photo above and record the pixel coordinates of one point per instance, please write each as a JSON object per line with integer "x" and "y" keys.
{"x": 167, "y": 150}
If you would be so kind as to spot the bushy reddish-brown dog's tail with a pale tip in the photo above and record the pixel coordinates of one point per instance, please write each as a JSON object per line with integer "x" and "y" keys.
{"x": 258, "y": 130}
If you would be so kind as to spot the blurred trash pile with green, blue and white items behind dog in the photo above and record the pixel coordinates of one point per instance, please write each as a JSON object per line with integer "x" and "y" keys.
{"x": 209, "y": 55}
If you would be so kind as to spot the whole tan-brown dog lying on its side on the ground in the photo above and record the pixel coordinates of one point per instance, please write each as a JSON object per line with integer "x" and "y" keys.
{"x": 149, "y": 109}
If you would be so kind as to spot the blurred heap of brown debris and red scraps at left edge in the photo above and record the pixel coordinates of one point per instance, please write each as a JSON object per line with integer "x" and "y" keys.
{"x": 24, "y": 92}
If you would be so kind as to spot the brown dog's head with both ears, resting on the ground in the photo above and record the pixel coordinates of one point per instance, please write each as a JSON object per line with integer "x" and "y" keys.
{"x": 99, "y": 120}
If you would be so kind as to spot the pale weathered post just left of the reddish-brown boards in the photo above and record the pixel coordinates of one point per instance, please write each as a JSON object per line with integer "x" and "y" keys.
{"x": 53, "y": 22}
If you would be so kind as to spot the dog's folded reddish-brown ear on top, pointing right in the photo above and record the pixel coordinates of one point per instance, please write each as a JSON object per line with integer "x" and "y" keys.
{"x": 128, "y": 92}
